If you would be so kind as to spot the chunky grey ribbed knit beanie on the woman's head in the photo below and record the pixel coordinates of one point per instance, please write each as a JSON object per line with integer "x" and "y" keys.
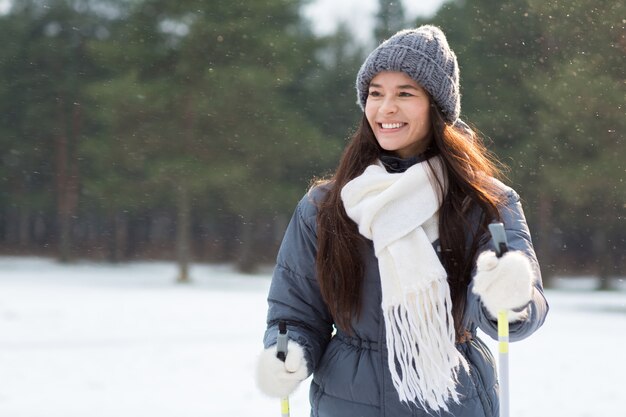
{"x": 424, "y": 55}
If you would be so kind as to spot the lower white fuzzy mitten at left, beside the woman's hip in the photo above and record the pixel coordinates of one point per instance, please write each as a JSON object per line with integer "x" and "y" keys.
{"x": 277, "y": 378}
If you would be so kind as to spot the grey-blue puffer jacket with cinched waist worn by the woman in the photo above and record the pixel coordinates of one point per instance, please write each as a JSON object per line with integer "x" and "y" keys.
{"x": 350, "y": 373}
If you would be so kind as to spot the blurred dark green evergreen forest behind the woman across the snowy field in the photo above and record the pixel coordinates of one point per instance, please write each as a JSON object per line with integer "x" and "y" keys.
{"x": 188, "y": 130}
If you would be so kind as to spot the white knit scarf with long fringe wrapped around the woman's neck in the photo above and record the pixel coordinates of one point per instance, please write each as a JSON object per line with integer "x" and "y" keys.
{"x": 399, "y": 212}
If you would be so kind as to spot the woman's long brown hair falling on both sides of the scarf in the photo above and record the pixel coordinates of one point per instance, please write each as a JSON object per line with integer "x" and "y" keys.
{"x": 469, "y": 167}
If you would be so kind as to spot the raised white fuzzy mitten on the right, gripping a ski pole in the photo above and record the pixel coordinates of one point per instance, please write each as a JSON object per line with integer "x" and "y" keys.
{"x": 504, "y": 283}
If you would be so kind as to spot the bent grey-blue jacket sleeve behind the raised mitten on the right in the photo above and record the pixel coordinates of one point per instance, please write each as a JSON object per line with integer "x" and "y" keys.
{"x": 519, "y": 239}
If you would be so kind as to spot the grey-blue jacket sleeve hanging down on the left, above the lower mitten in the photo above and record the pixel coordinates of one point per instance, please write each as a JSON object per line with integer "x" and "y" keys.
{"x": 294, "y": 295}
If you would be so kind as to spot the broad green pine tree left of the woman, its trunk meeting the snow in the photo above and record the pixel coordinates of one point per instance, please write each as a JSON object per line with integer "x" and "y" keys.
{"x": 212, "y": 87}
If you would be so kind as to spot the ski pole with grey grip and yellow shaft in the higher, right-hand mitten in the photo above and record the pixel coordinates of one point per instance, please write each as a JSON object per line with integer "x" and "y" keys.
{"x": 499, "y": 239}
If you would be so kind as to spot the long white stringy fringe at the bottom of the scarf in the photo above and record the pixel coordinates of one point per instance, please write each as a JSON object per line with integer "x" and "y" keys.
{"x": 421, "y": 342}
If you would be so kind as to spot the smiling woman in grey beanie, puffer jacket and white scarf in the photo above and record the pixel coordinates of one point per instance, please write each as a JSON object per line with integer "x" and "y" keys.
{"x": 393, "y": 252}
